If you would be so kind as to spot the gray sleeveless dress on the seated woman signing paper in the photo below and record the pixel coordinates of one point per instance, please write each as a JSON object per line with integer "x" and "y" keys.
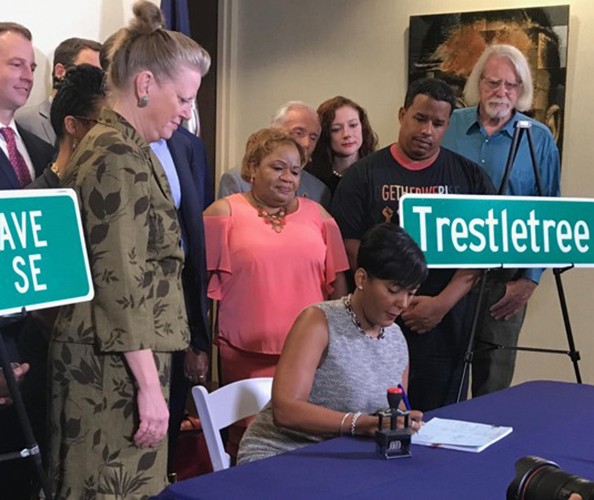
{"x": 353, "y": 377}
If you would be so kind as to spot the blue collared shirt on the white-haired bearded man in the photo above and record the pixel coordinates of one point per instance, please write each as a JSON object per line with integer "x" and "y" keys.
{"x": 466, "y": 136}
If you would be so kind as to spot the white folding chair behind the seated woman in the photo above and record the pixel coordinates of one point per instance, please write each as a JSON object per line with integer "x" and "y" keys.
{"x": 225, "y": 406}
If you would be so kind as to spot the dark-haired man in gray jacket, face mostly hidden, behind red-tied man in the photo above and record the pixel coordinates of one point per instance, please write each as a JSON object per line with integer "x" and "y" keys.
{"x": 69, "y": 53}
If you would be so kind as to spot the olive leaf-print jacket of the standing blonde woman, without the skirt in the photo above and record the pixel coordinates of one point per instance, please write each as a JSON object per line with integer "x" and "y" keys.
{"x": 133, "y": 241}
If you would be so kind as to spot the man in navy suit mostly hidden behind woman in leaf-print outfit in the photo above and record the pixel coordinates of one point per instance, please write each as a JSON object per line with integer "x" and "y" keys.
{"x": 191, "y": 366}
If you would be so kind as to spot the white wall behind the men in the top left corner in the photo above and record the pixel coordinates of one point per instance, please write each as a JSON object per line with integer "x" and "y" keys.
{"x": 51, "y": 22}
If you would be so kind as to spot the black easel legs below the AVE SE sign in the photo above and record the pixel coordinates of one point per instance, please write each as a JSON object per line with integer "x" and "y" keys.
{"x": 31, "y": 451}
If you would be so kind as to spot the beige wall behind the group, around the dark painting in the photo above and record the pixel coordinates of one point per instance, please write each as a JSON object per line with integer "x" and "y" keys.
{"x": 312, "y": 49}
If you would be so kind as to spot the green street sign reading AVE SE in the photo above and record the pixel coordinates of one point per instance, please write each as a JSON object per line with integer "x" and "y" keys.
{"x": 43, "y": 258}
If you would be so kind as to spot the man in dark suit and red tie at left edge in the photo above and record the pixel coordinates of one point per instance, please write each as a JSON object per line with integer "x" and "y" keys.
{"x": 23, "y": 156}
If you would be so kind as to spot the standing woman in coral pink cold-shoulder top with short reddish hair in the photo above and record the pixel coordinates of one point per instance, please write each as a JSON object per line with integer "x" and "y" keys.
{"x": 270, "y": 255}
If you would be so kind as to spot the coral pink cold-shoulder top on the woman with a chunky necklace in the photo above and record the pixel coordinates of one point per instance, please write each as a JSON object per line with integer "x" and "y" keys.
{"x": 264, "y": 279}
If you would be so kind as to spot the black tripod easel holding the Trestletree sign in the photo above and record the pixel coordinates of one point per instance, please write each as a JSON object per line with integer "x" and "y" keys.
{"x": 522, "y": 128}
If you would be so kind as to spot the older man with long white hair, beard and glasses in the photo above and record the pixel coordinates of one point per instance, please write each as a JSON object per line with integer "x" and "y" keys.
{"x": 499, "y": 88}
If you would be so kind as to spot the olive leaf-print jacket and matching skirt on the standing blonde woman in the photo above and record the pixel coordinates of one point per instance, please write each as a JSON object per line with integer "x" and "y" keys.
{"x": 133, "y": 240}
